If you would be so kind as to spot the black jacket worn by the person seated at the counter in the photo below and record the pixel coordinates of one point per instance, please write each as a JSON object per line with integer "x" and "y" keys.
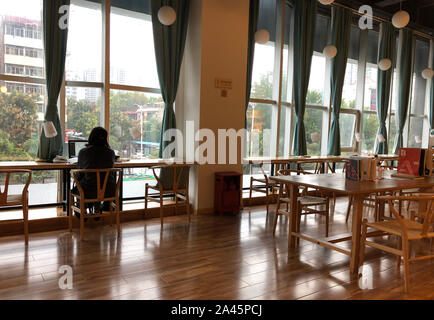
{"x": 96, "y": 157}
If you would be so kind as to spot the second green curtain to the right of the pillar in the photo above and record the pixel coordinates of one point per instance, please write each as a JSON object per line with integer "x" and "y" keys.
{"x": 304, "y": 32}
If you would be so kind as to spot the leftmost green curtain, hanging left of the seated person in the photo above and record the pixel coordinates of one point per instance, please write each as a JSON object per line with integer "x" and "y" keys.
{"x": 55, "y": 40}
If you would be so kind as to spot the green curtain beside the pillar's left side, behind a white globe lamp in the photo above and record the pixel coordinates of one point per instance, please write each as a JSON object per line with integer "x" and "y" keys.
{"x": 169, "y": 43}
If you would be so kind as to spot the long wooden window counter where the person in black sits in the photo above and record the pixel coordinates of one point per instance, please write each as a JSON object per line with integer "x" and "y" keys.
{"x": 67, "y": 167}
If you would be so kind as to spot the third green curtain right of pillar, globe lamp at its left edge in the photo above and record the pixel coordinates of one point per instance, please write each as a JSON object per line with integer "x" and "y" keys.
{"x": 340, "y": 38}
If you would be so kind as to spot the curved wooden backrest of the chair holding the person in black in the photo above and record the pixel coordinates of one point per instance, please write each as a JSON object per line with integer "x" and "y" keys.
{"x": 101, "y": 187}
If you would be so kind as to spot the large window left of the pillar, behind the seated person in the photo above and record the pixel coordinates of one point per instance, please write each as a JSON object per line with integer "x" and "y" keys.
{"x": 133, "y": 82}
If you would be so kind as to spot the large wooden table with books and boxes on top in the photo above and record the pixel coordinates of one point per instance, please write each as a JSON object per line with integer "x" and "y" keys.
{"x": 336, "y": 182}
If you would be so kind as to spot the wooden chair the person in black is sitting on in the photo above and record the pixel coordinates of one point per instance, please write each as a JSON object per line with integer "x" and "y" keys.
{"x": 77, "y": 202}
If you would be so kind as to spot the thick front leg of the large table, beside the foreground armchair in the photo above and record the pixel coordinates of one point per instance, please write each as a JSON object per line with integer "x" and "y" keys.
{"x": 356, "y": 232}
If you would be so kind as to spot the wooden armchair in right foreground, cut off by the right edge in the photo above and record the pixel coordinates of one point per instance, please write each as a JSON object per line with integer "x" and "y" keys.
{"x": 406, "y": 229}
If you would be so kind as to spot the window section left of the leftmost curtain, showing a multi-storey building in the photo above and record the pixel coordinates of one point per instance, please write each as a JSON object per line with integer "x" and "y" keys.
{"x": 22, "y": 96}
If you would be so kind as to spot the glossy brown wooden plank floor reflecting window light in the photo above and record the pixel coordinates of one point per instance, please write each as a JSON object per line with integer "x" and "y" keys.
{"x": 213, "y": 257}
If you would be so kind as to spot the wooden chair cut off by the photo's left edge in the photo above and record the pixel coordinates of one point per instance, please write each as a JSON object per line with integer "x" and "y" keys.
{"x": 12, "y": 200}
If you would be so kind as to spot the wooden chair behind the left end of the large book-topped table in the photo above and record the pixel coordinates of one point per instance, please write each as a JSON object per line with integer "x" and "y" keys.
{"x": 306, "y": 203}
